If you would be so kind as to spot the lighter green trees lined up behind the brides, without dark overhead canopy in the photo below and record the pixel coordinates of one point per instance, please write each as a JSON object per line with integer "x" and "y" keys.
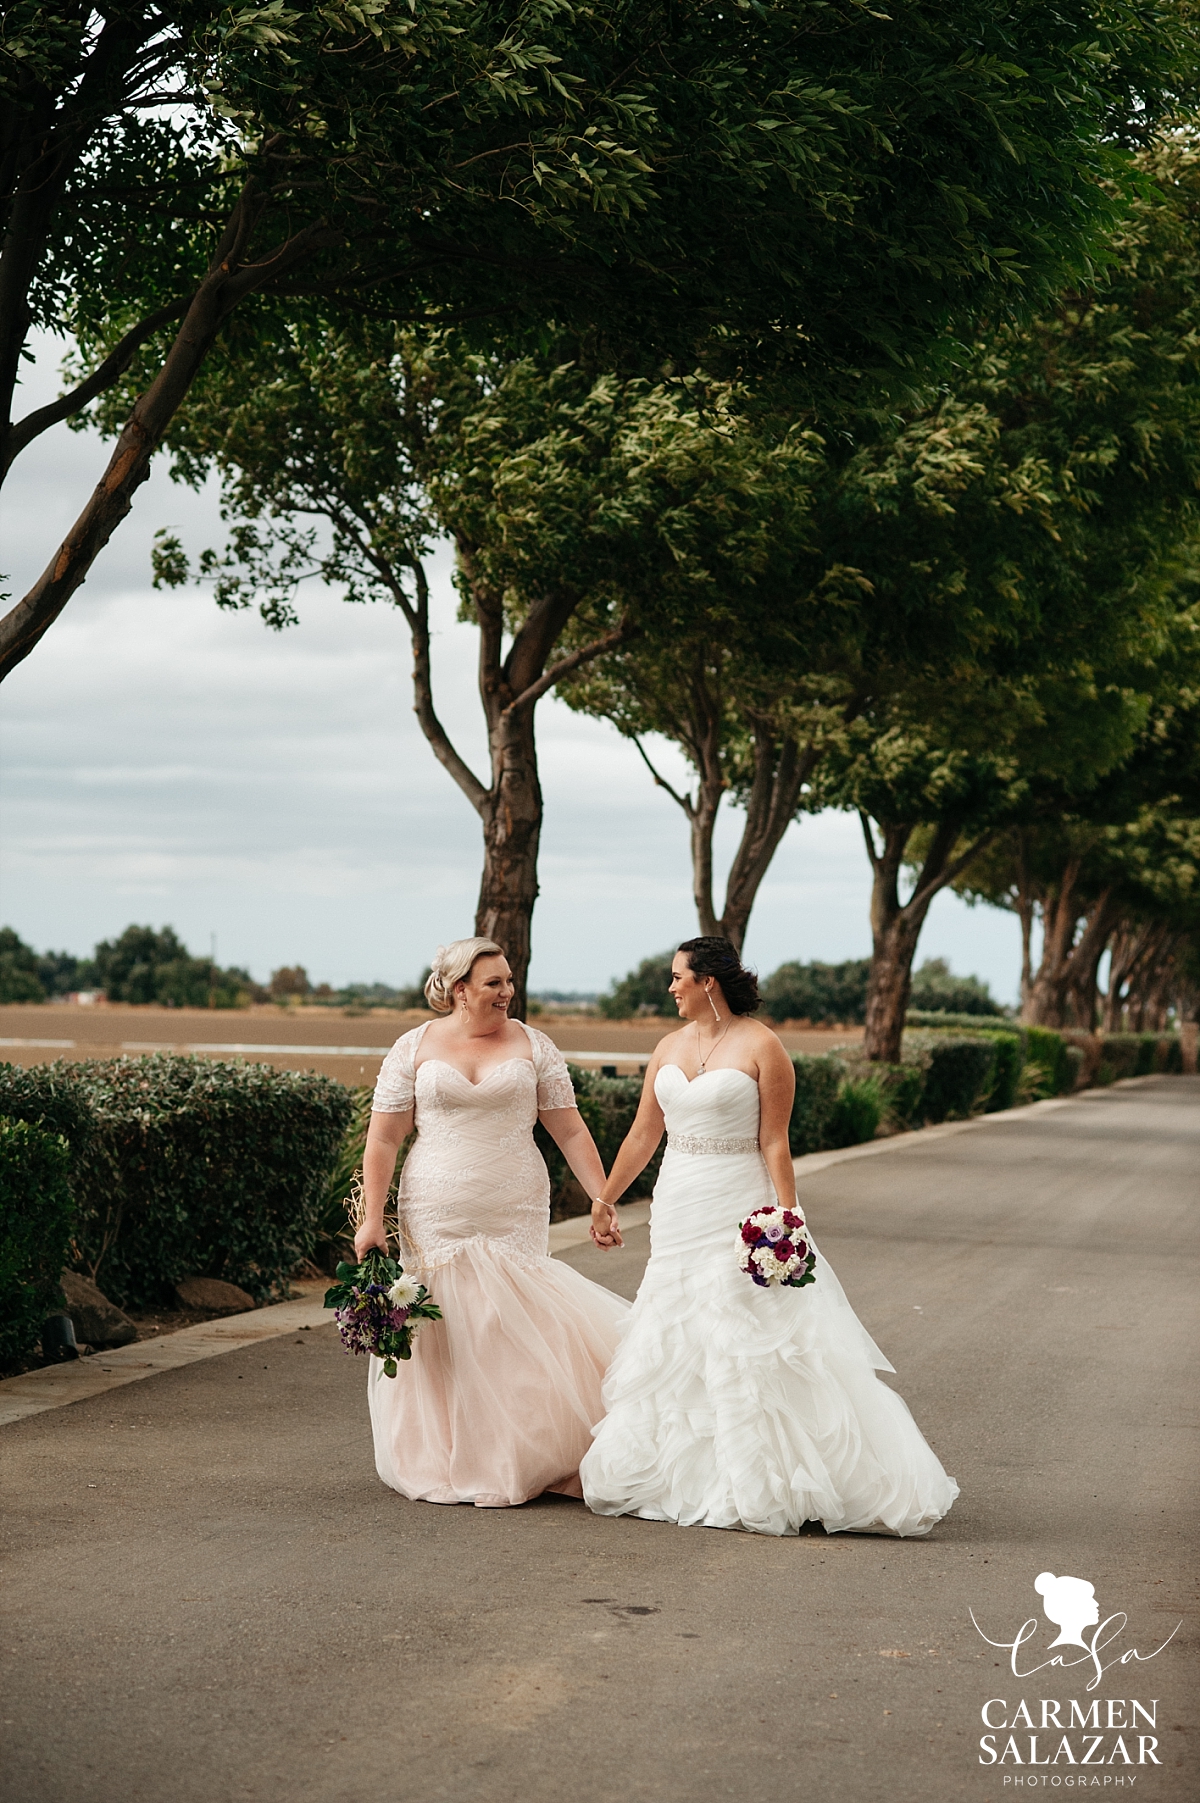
{"x": 963, "y": 619}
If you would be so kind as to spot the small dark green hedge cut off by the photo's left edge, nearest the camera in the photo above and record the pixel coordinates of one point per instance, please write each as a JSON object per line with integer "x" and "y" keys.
{"x": 37, "y": 1220}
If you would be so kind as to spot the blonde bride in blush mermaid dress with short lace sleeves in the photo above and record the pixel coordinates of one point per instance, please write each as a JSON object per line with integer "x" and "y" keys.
{"x": 498, "y": 1400}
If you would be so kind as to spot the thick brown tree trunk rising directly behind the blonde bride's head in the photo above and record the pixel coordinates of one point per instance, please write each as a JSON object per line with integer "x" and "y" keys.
{"x": 513, "y": 825}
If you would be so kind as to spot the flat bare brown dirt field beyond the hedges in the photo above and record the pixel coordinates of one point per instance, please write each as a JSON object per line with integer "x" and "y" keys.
{"x": 349, "y": 1047}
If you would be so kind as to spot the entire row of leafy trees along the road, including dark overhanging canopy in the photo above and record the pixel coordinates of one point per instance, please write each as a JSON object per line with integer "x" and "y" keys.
{"x": 806, "y": 385}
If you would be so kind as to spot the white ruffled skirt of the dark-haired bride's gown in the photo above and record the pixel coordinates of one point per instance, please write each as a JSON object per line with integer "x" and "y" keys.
{"x": 731, "y": 1405}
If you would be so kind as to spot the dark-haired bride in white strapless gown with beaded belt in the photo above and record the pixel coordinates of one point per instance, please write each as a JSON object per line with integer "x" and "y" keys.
{"x": 731, "y": 1405}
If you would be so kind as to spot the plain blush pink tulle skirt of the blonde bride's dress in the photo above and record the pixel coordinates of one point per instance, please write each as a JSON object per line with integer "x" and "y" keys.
{"x": 500, "y": 1398}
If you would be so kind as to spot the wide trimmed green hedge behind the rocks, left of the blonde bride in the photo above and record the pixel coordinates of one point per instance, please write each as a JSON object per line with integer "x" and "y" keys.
{"x": 192, "y": 1167}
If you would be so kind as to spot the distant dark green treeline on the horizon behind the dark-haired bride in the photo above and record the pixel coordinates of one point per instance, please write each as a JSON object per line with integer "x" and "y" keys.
{"x": 817, "y": 993}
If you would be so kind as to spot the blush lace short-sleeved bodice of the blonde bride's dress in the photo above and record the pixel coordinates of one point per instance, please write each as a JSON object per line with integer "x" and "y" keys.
{"x": 475, "y": 1173}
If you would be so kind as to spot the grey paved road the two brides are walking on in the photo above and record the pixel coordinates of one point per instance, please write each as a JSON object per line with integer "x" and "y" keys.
{"x": 210, "y": 1598}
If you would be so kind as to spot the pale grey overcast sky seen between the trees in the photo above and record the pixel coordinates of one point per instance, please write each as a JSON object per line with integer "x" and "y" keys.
{"x": 168, "y": 764}
